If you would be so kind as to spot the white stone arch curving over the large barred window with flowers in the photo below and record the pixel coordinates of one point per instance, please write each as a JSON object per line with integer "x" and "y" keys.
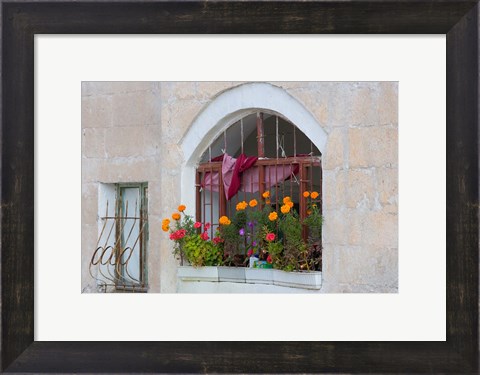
{"x": 227, "y": 108}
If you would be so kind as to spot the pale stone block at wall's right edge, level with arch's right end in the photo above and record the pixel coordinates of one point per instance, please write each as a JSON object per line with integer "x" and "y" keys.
{"x": 373, "y": 146}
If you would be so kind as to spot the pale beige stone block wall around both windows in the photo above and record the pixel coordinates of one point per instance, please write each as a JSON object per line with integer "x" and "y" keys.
{"x": 131, "y": 132}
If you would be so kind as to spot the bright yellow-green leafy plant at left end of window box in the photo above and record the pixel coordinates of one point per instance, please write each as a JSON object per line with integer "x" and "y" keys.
{"x": 200, "y": 252}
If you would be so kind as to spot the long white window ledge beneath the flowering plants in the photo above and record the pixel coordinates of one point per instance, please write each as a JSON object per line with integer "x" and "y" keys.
{"x": 242, "y": 275}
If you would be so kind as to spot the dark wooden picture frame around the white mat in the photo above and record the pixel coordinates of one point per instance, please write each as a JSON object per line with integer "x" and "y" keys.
{"x": 22, "y": 20}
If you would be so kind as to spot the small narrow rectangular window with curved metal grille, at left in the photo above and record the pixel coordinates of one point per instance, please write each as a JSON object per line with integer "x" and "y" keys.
{"x": 121, "y": 252}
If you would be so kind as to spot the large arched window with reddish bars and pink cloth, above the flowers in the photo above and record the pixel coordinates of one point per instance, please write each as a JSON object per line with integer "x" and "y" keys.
{"x": 261, "y": 157}
